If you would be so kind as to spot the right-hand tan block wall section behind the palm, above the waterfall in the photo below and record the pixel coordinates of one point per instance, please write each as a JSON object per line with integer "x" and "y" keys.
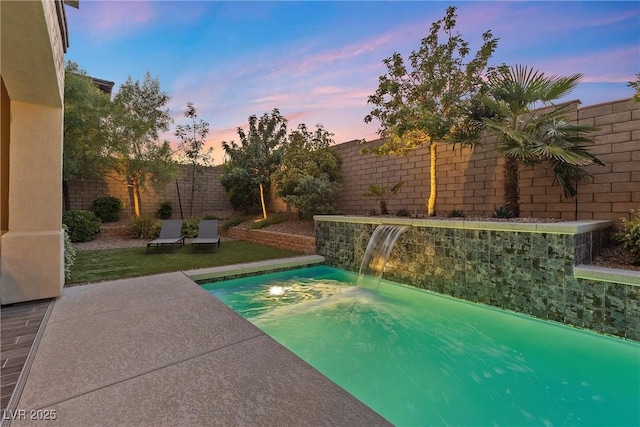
{"x": 472, "y": 180}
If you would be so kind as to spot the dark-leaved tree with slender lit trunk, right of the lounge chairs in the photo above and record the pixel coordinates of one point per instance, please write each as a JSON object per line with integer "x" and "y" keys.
{"x": 250, "y": 165}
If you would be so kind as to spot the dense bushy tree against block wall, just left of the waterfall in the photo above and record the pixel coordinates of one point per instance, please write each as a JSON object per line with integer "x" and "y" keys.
{"x": 310, "y": 176}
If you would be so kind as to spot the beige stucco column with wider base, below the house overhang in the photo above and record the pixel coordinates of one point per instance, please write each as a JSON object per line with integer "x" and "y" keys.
{"x": 33, "y": 248}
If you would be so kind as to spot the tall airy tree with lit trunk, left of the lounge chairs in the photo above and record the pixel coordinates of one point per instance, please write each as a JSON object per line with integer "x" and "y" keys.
{"x": 138, "y": 116}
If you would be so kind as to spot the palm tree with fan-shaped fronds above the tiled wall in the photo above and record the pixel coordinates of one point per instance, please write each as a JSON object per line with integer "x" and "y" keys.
{"x": 531, "y": 129}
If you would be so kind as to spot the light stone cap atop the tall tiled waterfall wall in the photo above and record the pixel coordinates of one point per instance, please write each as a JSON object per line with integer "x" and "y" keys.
{"x": 565, "y": 227}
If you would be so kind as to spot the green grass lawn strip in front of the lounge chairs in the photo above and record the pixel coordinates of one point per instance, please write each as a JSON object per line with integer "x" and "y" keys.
{"x": 110, "y": 264}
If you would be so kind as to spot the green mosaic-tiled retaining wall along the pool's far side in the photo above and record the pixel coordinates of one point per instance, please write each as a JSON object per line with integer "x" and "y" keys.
{"x": 523, "y": 267}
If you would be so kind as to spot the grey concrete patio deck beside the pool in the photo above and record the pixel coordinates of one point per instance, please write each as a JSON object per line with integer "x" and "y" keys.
{"x": 160, "y": 351}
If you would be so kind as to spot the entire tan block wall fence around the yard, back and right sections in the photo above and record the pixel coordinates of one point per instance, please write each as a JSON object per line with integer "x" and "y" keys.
{"x": 470, "y": 180}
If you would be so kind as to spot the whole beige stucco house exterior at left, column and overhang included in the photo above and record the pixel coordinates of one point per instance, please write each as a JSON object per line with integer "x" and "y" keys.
{"x": 34, "y": 38}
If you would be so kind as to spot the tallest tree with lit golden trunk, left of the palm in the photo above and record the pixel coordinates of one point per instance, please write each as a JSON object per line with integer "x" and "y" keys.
{"x": 434, "y": 100}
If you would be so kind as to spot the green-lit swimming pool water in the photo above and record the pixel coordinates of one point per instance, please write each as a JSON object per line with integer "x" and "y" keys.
{"x": 419, "y": 358}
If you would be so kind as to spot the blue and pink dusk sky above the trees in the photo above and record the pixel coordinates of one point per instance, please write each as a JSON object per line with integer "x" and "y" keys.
{"x": 318, "y": 61}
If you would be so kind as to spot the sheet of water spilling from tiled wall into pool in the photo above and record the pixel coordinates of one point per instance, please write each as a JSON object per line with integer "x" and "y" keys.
{"x": 378, "y": 250}
